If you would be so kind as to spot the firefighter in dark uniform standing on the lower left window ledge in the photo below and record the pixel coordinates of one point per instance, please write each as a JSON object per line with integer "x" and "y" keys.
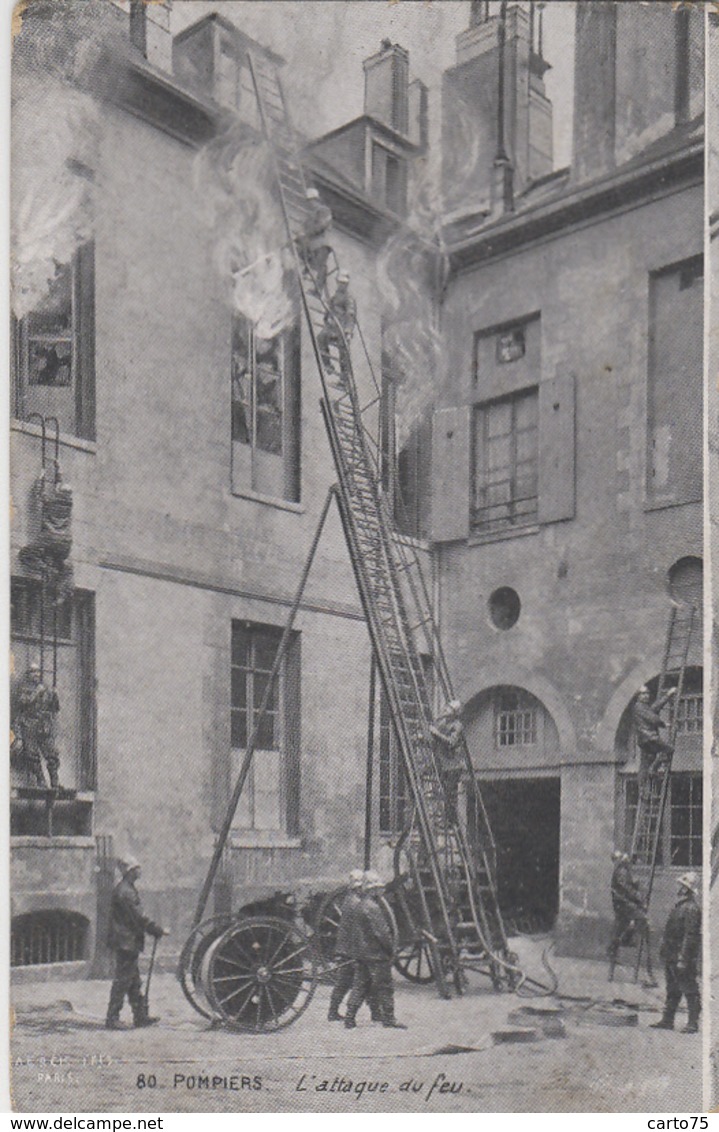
{"x": 35, "y": 726}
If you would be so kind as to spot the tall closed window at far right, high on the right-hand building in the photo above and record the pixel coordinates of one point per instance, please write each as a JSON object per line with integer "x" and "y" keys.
{"x": 675, "y": 384}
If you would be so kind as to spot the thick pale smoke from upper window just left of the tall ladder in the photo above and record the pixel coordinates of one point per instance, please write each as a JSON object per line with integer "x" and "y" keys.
{"x": 236, "y": 182}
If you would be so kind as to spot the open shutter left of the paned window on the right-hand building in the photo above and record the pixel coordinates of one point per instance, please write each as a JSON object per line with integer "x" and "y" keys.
{"x": 451, "y": 471}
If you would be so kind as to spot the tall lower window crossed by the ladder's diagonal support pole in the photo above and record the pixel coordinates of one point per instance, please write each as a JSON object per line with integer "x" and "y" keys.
{"x": 270, "y": 797}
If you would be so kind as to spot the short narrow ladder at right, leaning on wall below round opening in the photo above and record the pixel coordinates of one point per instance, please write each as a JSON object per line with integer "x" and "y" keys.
{"x": 652, "y": 803}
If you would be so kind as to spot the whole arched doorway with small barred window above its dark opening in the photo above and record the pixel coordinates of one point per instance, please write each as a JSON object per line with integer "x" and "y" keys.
{"x": 523, "y": 802}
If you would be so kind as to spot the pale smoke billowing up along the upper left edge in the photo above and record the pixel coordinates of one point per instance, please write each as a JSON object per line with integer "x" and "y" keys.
{"x": 56, "y": 133}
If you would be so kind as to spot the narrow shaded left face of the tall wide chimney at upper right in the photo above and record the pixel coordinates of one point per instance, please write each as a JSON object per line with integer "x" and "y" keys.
{"x": 595, "y": 89}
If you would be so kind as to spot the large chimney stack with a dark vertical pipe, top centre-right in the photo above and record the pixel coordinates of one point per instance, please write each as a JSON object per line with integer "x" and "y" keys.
{"x": 498, "y": 122}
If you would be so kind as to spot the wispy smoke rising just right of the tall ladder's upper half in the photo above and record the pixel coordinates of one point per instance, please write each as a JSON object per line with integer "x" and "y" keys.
{"x": 412, "y": 272}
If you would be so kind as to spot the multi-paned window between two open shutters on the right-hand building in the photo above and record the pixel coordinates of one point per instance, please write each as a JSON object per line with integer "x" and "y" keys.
{"x": 506, "y": 462}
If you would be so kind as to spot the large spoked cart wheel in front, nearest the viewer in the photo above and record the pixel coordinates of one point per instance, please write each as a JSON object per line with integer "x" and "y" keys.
{"x": 260, "y": 975}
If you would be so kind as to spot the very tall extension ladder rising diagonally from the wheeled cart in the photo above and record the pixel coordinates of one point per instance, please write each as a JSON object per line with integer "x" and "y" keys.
{"x": 461, "y": 921}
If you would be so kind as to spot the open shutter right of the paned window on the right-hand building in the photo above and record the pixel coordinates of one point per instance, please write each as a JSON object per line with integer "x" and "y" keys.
{"x": 557, "y": 450}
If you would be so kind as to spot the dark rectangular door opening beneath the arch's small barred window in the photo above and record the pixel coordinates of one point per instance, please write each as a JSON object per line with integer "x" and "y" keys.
{"x": 525, "y": 819}
